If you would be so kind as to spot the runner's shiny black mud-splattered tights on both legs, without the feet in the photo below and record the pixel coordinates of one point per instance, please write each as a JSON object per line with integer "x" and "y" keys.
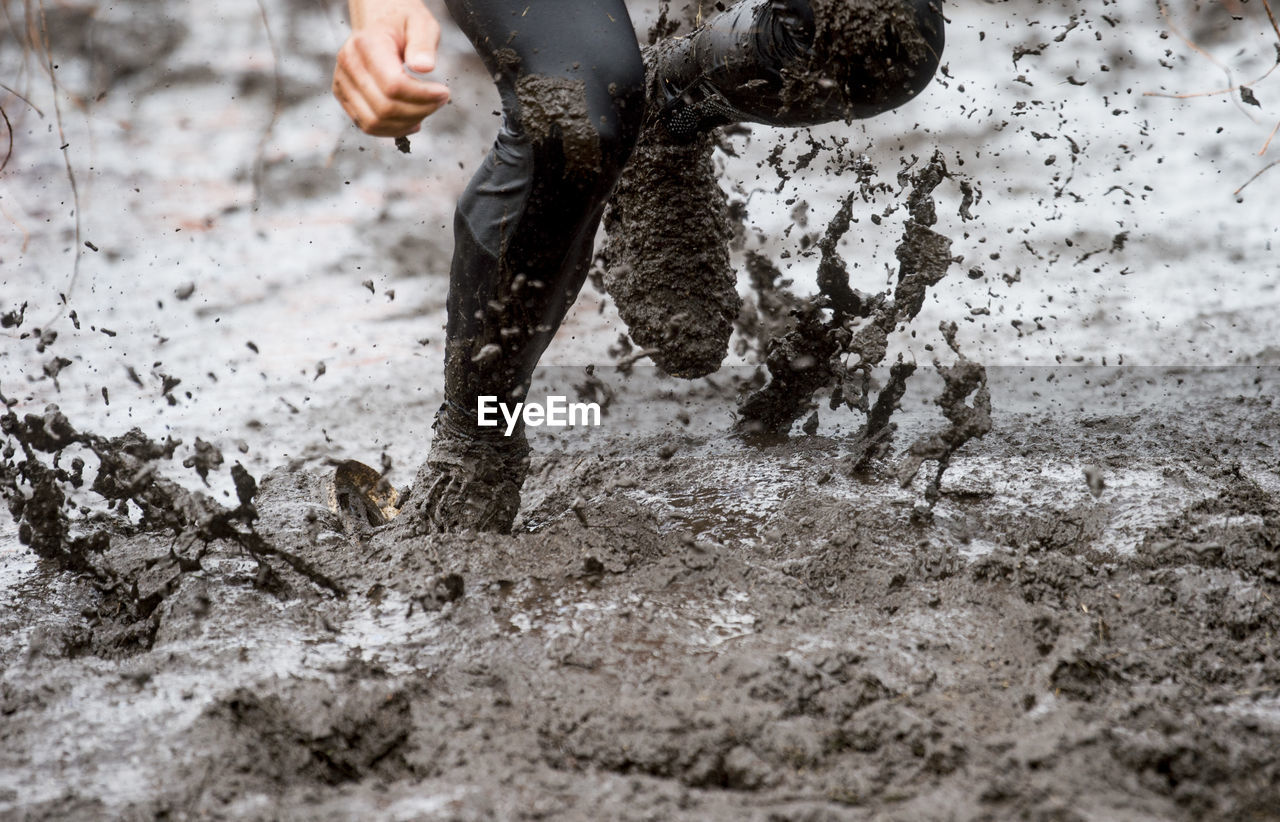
{"x": 574, "y": 89}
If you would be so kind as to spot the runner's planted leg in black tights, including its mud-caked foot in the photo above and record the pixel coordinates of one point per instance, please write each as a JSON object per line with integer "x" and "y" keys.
{"x": 573, "y": 92}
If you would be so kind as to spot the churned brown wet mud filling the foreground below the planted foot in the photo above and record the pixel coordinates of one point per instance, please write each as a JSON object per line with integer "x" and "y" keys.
{"x": 816, "y": 655}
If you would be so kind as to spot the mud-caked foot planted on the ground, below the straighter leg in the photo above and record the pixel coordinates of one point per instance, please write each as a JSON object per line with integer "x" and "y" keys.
{"x": 472, "y": 478}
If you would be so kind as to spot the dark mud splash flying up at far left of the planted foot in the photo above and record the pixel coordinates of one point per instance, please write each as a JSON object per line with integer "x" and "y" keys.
{"x": 76, "y": 532}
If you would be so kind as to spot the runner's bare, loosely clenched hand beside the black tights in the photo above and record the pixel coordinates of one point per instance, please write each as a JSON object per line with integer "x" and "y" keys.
{"x": 371, "y": 80}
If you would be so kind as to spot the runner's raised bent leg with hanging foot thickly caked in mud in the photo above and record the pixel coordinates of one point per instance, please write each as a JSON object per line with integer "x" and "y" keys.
{"x": 666, "y": 257}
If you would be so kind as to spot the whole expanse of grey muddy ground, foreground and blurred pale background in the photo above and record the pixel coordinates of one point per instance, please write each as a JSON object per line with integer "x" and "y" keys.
{"x": 688, "y": 624}
